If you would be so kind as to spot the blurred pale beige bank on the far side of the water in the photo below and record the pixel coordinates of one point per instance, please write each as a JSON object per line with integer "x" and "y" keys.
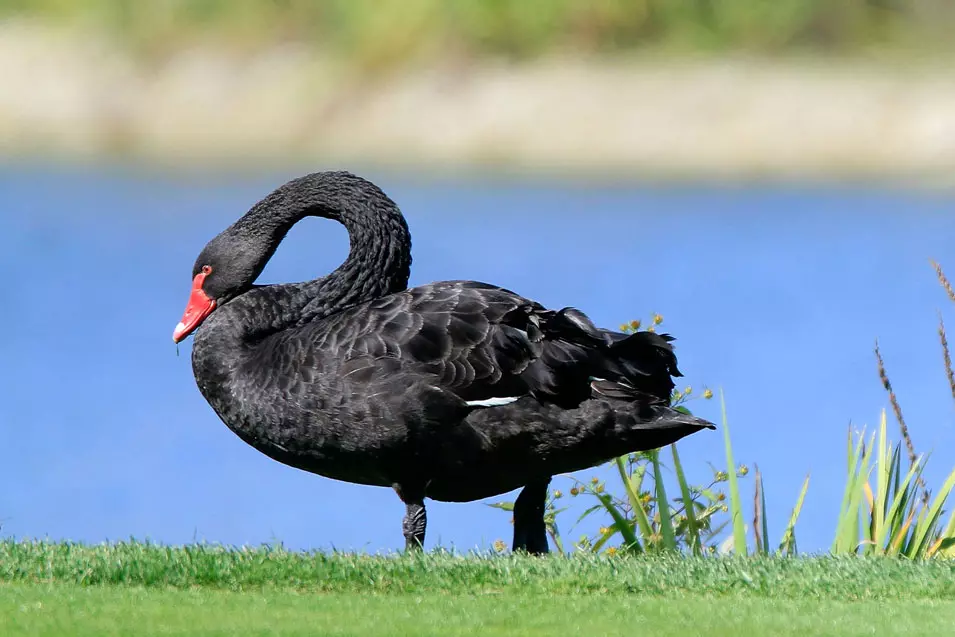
{"x": 73, "y": 98}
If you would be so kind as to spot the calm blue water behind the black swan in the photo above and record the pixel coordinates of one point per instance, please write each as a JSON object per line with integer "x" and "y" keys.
{"x": 776, "y": 295}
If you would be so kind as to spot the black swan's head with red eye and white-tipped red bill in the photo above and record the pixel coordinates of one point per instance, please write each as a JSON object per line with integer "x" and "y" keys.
{"x": 226, "y": 267}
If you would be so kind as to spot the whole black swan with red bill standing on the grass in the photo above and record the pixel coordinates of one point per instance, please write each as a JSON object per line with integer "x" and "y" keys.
{"x": 454, "y": 391}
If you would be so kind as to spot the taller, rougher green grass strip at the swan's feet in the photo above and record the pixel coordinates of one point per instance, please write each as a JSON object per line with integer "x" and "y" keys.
{"x": 804, "y": 578}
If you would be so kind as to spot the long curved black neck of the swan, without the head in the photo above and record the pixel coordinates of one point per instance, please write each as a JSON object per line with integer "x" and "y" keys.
{"x": 379, "y": 259}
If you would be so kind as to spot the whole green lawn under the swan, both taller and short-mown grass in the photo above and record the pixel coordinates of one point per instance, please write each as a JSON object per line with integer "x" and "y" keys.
{"x": 139, "y": 589}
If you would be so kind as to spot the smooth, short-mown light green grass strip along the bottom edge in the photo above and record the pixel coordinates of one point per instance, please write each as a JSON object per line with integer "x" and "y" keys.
{"x": 99, "y": 611}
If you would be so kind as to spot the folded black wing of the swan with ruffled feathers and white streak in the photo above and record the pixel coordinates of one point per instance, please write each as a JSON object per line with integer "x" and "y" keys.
{"x": 488, "y": 345}
